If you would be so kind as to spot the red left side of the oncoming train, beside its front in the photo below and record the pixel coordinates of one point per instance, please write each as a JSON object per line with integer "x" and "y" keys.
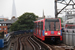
{"x": 40, "y": 31}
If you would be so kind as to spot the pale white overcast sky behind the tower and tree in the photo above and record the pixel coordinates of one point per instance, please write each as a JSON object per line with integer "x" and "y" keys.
{"x": 23, "y": 6}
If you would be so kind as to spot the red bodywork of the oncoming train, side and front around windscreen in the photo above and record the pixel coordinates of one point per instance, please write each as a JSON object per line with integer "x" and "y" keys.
{"x": 42, "y": 33}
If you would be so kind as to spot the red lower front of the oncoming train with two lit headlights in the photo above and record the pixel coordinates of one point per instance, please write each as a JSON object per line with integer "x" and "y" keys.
{"x": 55, "y": 34}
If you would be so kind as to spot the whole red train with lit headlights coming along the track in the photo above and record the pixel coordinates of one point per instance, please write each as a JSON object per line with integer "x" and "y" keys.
{"x": 48, "y": 28}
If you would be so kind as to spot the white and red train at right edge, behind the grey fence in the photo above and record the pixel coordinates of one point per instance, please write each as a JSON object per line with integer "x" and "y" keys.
{"x": 70, "y": 25}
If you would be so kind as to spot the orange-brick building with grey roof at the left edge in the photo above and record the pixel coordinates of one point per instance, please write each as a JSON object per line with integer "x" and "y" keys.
{"x": 5, "y": 25}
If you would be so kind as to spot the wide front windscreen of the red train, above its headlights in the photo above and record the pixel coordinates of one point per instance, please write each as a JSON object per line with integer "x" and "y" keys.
{"x": 52, "y": 25}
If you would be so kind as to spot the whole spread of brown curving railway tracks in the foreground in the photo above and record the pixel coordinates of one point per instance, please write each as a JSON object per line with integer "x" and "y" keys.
{"x": 29, "y": 42}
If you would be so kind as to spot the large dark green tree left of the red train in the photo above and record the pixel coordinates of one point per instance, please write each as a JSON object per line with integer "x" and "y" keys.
{"x": 24, "y": 22}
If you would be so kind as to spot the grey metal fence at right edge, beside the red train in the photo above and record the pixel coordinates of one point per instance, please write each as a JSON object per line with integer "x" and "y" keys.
{"x": 69, "y": 38}
